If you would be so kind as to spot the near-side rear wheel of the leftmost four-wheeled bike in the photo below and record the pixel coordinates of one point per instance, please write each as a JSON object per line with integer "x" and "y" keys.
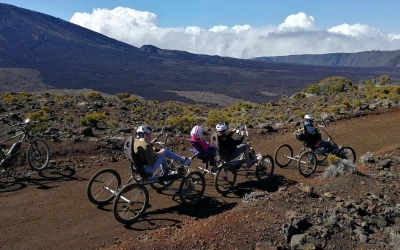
{"x": 131, "y": 203}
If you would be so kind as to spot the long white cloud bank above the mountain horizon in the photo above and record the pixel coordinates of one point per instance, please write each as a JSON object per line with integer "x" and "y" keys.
{"x": 296, "y": 35}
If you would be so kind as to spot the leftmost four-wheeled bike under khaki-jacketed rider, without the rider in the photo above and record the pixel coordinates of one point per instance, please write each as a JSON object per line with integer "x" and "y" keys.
{"x": 124, "y": 206}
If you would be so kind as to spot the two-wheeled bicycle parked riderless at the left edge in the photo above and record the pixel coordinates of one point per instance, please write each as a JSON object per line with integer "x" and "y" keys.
{"x": 38, "y": 152}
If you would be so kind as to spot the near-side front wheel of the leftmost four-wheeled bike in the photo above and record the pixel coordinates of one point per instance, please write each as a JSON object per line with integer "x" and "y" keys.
{"x": 192, "y": 188}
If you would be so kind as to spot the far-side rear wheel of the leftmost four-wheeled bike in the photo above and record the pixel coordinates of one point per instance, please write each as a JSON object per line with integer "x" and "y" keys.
{"x": 103, "y": 186}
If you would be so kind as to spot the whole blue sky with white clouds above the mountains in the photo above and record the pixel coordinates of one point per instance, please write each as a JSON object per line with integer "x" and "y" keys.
{"x": 236, "y": 28}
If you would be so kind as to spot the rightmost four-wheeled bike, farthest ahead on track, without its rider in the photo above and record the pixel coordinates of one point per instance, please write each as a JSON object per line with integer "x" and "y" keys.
{"x": 308, "y": 159}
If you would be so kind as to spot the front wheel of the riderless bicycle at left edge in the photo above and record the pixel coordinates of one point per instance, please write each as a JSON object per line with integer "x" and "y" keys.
{"x": 38, "y": 155}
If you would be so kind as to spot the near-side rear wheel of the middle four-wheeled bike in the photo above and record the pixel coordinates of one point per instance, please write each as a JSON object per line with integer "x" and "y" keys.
{"x": 225, "y": 179}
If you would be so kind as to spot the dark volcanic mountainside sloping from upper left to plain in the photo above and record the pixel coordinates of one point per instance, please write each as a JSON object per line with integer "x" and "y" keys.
{"x": 38, "y": 51}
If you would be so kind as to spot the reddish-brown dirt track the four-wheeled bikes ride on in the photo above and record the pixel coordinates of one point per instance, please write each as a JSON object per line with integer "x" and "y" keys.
{"x": 53, "y": 212}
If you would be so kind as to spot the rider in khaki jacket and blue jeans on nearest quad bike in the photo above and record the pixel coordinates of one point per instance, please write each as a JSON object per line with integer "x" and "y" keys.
{"x": 143, "y": 147}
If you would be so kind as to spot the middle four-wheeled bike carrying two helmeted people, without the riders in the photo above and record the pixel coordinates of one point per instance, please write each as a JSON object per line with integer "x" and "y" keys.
{"x": 230, "y": 167}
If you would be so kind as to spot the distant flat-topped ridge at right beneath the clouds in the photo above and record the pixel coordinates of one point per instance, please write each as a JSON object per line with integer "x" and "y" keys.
{"x": 360, "y": 59}
